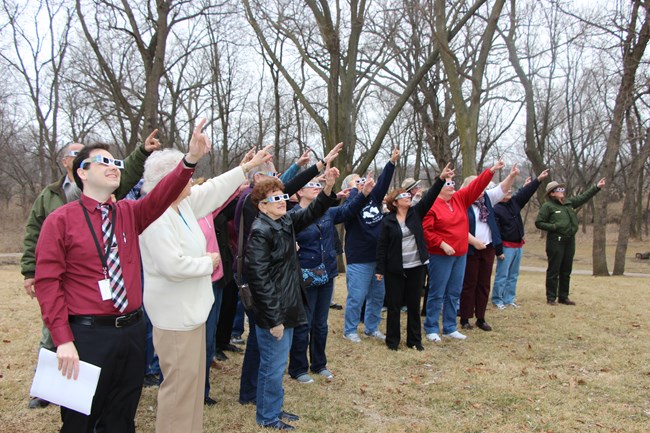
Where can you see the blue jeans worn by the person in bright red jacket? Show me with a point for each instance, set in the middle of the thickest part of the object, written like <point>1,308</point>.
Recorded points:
<point>446,275</point>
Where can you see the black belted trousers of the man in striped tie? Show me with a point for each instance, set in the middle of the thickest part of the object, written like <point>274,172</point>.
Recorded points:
<point>120,352</point>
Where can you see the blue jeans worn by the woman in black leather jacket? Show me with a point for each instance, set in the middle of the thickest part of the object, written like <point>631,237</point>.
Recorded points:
<point>273,360</point>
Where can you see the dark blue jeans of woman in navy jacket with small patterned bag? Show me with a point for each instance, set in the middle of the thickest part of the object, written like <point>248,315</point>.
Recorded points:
<point>313,335</point>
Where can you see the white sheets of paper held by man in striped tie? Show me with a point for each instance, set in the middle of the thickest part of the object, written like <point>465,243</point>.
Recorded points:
<point>50,385</point>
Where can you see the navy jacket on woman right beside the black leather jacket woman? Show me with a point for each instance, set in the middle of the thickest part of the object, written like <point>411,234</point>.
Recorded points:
<point>317,241</point>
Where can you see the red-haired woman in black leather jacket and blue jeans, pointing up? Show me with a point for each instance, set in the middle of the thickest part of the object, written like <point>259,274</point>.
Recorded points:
<point>275,281</point>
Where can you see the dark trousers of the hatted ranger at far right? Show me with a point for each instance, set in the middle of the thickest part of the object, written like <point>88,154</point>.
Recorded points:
<point>559,251</point>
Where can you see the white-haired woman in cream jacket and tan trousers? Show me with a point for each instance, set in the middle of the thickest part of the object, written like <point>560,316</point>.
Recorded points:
<point>178,287</point>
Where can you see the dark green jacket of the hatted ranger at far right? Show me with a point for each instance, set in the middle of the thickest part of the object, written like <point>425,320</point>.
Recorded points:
<point>561,219</point>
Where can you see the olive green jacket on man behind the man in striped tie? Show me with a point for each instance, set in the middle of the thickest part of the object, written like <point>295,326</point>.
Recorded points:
<point>53,197</point>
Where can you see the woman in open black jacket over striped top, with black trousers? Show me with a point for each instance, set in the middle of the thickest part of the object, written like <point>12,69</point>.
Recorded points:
<point>401,258</point>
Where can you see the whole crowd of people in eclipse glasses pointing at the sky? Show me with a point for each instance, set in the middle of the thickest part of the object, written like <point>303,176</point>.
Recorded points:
<point>112,274</point>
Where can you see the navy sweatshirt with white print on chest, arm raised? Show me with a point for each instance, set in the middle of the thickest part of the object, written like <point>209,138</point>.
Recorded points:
<point>362,231</point>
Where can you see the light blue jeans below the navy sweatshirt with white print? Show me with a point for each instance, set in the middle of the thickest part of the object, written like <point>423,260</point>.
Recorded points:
<point>362,285</point>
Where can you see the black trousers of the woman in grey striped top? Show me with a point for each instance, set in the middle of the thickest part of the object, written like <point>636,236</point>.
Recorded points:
<point>404,289</point>
